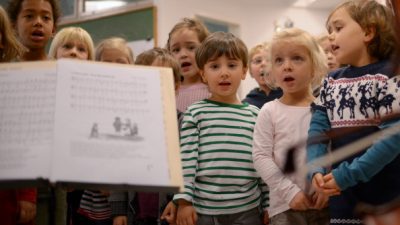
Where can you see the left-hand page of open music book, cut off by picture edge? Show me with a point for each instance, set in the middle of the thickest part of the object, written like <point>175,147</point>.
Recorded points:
<point>27,103</point>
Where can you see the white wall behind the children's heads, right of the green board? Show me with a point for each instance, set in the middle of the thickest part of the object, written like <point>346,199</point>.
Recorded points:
<point>254,18</point>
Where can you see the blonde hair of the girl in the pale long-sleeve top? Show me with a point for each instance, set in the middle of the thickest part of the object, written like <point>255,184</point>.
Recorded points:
<point>317,54</point>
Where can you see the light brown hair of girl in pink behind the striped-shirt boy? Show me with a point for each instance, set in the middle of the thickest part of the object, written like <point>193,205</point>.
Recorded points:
<point>191,24</point>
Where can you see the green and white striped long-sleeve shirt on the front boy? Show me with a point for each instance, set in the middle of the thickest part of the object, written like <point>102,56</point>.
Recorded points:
<point>216,151</point>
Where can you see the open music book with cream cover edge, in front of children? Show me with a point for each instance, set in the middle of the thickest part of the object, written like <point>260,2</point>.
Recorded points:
<point>87,124</point>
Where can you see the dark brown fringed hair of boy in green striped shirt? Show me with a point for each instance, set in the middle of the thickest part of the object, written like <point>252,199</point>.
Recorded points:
<point>219,44</point>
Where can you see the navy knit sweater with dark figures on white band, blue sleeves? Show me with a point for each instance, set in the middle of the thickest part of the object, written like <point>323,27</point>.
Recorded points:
<point>353,97</point>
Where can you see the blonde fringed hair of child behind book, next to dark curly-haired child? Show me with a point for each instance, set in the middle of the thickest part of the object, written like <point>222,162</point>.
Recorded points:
<point>68,34</point>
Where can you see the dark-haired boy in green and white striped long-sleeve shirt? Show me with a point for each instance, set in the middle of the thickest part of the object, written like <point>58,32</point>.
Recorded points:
<point>221,184</point>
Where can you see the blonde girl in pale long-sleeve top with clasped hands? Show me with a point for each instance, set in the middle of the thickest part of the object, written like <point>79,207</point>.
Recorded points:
<point>297,64</point>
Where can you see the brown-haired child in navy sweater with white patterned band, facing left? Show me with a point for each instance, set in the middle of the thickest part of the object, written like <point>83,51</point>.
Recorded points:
<point>361,36</point>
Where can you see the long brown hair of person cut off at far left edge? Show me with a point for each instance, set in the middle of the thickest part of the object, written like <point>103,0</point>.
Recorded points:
<point>11,47</point>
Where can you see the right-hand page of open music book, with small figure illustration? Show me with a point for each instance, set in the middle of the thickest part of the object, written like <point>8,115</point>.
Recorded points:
<point>109,125</point>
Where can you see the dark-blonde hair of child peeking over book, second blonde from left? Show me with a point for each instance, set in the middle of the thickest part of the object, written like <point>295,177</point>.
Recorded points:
<point>114,43</point>
